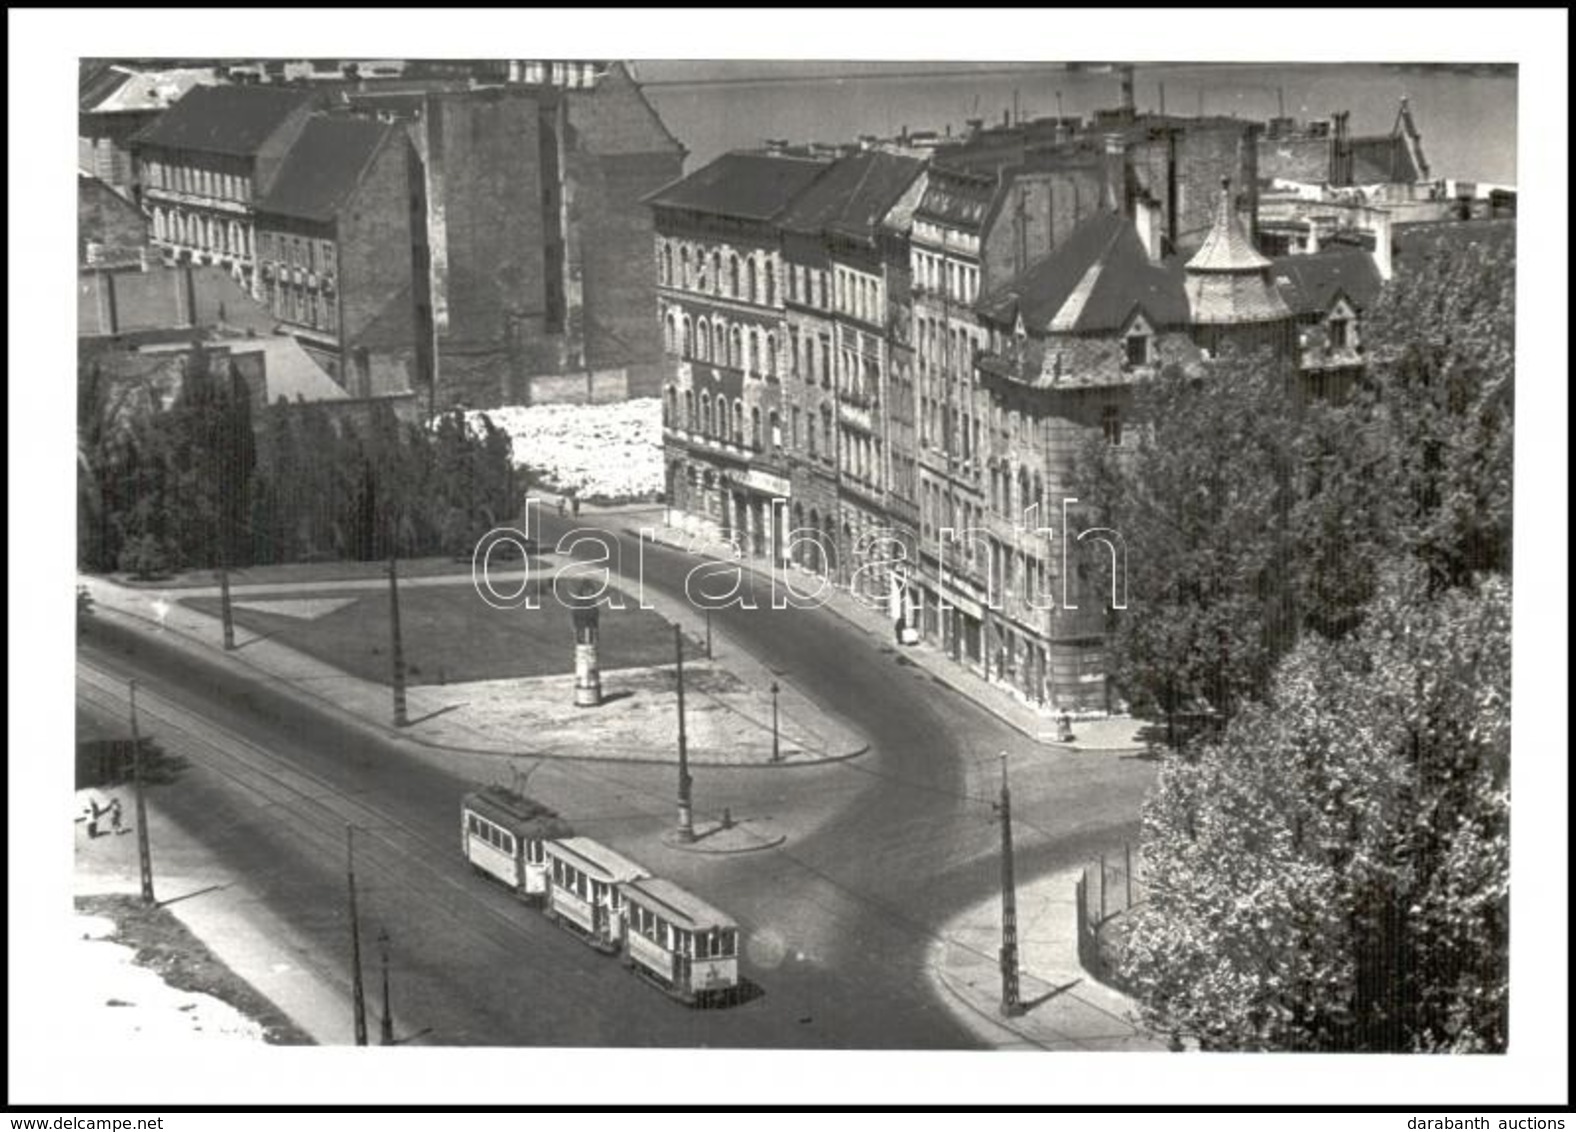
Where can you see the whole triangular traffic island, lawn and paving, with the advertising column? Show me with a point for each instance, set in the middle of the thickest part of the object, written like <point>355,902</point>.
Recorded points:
<point>491,682</point>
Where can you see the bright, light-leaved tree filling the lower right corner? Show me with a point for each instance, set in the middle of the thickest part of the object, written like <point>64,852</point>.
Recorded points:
<point>1334,873</point>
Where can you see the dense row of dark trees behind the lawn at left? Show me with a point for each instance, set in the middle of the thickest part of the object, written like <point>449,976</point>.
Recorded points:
<point>204,485</point>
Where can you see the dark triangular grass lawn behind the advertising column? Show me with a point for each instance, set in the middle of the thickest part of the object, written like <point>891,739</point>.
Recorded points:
<point>450,635</point>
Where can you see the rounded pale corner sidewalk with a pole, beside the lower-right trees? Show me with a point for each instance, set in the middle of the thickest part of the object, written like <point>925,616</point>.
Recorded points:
<point>1068,1010</point>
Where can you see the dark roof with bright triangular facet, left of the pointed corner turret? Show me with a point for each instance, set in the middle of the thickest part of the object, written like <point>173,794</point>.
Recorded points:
<point>1093,283</point>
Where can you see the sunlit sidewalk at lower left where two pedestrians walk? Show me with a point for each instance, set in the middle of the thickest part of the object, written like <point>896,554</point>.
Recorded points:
<point>221,912</point>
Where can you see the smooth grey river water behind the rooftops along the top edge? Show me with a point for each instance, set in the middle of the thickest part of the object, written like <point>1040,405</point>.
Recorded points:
<point>1468,121</point>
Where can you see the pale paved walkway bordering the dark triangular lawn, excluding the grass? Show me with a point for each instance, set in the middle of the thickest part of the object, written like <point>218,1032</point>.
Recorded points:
<point>729,709</point>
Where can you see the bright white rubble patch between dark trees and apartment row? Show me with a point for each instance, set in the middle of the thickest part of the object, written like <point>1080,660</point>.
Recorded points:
<point>612,452</point>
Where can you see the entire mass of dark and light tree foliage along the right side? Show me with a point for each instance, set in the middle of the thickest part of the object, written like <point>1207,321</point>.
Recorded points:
<point>1333,579</point>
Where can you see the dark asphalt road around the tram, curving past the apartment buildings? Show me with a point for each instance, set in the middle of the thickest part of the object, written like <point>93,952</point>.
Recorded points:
<point>885,847</point>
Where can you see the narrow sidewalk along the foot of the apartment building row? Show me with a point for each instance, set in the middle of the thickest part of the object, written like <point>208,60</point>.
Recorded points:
<point>1039,724</point>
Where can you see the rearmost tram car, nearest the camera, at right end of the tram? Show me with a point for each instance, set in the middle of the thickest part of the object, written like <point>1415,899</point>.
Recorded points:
<point>682,944</point>
